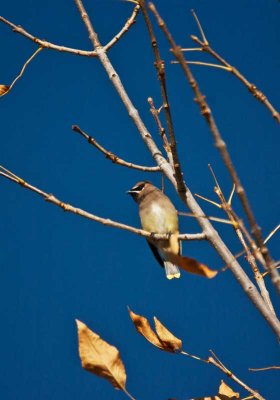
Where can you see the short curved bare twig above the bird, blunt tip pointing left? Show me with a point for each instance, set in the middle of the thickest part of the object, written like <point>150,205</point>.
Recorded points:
<point>108,154</point>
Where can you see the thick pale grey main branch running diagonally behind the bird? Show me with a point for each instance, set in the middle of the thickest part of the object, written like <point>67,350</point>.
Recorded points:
<point>186,197</point>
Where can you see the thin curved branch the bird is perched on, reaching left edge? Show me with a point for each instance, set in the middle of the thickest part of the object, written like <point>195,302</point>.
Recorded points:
<point>104,221</point>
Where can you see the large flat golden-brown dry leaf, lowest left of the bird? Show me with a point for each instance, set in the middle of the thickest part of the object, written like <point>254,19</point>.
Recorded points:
<point>99,357</point>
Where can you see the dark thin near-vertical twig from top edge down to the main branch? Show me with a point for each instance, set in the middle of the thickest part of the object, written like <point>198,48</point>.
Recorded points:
<point>159,64</point>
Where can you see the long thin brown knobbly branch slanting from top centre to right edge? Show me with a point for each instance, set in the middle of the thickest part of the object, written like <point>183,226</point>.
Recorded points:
<point>221,145</point>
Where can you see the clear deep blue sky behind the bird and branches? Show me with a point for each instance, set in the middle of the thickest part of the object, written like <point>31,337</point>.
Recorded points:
<point>56,266</point>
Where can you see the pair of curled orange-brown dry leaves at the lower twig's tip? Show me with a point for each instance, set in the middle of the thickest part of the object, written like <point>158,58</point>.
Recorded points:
<point>162,338</point>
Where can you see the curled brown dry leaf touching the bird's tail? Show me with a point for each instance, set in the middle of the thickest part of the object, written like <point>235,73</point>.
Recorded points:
<point>193,266</point>
